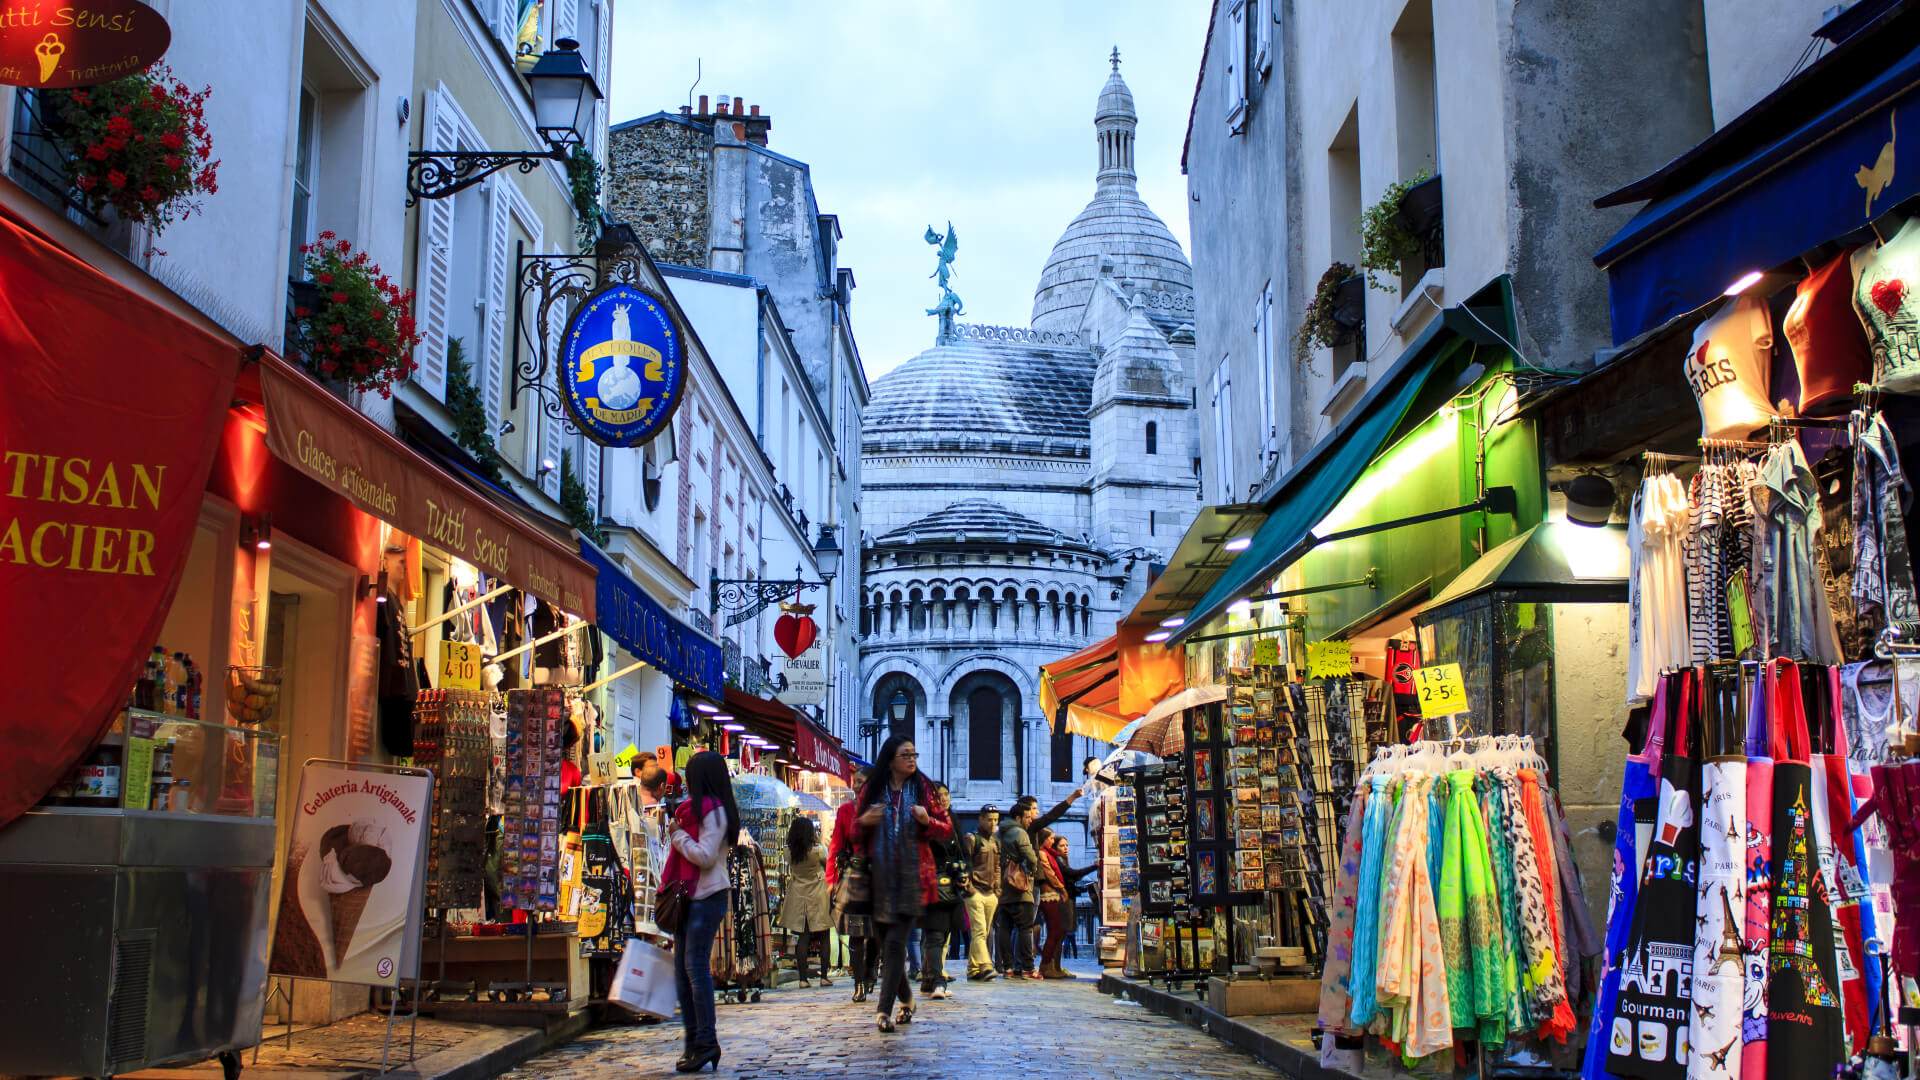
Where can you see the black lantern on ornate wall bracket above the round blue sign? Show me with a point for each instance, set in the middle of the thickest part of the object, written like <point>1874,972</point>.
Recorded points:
<point>564,114</point>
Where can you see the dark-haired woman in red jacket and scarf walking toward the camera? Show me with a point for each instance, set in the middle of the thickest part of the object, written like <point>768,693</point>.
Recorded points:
<point>900,820</point>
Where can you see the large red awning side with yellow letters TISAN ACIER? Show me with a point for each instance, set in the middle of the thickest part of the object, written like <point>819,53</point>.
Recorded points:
<point>108,428</point>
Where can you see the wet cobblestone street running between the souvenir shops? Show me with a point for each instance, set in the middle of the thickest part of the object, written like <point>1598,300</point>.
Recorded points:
<point>1030,1031</point>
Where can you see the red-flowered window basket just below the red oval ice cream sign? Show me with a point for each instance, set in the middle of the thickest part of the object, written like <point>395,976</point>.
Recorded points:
<point>137,147</point>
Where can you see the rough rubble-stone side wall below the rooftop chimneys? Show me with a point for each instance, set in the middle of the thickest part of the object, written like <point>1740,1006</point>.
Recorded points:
<point>660,178</point>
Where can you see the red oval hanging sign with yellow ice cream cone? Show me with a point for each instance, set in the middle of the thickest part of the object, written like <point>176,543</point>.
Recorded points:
<point>51,45</point>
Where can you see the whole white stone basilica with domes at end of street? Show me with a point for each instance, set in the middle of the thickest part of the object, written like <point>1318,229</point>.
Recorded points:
<point>1017,489</point>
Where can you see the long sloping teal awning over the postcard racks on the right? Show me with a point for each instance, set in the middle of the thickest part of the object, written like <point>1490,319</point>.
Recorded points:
<point>1322,479</point>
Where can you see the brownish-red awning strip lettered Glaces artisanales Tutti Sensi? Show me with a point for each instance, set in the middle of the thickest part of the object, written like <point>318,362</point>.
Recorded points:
<point>335,445</point>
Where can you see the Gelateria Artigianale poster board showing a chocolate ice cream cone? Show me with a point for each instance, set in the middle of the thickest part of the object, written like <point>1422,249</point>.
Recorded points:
<point>350,904</point>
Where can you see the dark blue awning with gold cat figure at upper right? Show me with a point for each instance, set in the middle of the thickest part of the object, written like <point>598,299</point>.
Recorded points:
<point>1813,162</point>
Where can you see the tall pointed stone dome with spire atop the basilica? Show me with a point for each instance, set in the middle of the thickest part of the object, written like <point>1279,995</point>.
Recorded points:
<point>1116,226</point>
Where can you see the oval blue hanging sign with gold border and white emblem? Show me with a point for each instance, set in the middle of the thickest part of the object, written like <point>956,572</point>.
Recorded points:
<point>623,366</point>
